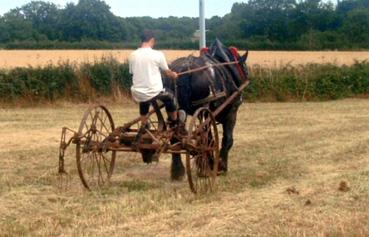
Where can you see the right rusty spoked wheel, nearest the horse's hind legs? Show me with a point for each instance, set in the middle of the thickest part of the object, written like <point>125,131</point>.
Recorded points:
<point>202,159</point>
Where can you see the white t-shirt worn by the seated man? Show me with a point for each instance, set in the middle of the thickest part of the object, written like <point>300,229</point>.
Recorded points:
<point>145,65</point>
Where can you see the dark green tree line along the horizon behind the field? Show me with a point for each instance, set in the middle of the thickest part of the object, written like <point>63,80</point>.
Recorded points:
<point>255,24</point>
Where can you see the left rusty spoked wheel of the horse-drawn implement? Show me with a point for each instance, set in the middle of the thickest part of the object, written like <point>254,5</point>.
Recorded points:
<point>95,164</point>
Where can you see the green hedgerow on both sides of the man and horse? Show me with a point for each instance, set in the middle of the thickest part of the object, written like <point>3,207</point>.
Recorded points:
<point>108,77</point>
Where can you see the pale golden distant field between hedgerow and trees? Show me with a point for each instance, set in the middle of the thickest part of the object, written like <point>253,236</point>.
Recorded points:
<point>22,58</point>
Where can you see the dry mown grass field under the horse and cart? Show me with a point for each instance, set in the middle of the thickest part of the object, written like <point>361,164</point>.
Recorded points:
<point>287,166</point>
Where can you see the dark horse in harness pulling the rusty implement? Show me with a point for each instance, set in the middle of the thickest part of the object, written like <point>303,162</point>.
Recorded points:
<point>209,87</point>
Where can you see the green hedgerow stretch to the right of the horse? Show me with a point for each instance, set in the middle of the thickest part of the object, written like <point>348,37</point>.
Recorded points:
<point>308,82</point>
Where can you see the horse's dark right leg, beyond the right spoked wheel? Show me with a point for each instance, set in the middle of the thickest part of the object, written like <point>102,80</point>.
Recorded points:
<point>227,140</point>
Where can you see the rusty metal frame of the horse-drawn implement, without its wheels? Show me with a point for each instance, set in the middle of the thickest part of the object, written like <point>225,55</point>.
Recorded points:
<point>160,138</point>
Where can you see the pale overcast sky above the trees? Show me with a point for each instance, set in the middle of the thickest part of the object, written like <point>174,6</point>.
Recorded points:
<point>153,8</point>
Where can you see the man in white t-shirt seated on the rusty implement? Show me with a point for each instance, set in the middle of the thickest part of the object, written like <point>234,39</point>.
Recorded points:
<point>145,64</point>
